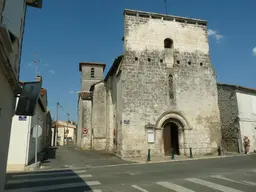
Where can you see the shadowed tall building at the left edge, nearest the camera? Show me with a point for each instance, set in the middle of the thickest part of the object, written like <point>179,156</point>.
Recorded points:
<point>12,17</point>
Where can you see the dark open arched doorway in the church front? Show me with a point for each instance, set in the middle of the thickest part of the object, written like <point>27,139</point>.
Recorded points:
<point>171,138</point>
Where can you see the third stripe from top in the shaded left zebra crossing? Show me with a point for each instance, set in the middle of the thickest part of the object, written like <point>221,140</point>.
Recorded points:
<point>55,187</point>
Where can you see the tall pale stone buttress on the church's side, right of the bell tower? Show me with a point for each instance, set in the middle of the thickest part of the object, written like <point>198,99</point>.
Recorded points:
<point>99,117</point>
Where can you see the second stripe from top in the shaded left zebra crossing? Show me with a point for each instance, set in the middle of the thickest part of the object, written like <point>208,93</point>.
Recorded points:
<point>47,179</point>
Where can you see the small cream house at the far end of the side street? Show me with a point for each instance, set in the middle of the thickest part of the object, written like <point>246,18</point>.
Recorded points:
<point>66,130</point>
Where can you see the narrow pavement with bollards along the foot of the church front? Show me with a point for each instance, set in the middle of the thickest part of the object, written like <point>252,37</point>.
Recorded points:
<point>178,158</point>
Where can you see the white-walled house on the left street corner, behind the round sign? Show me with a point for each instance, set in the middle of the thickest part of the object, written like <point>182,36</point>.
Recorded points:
<point>22,143</point>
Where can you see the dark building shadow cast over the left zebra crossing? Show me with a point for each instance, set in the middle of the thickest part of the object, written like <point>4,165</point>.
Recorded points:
<point>51,181</point>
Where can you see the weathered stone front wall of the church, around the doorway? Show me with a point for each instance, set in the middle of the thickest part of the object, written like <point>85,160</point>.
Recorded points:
<point>145,86</point>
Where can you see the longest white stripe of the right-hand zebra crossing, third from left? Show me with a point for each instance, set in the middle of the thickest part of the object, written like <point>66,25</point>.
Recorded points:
<point>212,185</point>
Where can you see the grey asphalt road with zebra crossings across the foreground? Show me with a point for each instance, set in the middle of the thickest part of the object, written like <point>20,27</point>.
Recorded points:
<point>232,174</point>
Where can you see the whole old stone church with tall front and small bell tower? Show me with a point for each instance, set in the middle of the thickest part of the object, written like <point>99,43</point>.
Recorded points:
<point>161,94</point>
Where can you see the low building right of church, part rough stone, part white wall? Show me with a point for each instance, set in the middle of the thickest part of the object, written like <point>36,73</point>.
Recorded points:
<point>238,116</point>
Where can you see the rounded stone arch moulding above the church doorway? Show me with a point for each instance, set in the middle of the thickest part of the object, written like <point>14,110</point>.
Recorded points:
<point>175,117</point>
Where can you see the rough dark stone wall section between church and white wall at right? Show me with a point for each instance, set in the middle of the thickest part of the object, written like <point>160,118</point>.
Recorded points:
<point>229,122</point>
